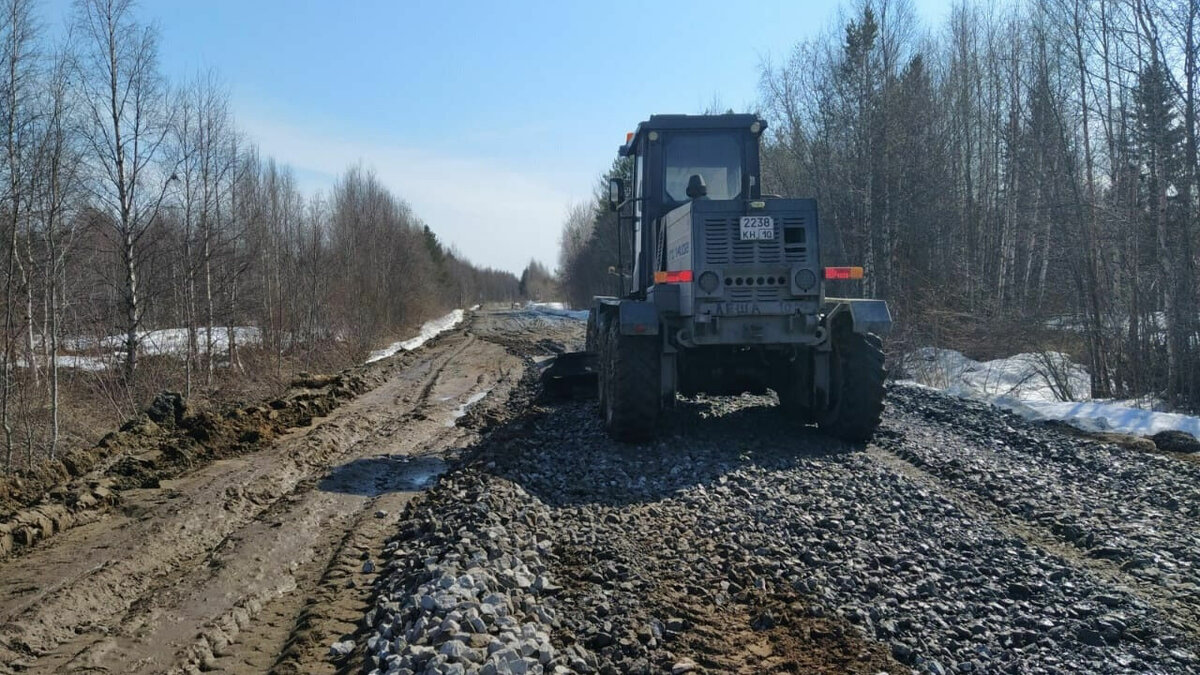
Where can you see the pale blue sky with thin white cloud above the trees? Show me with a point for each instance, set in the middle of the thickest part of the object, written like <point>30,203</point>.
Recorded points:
<point>489,118</point>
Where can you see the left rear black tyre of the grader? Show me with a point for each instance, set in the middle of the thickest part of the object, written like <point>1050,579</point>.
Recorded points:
<point>631,378</point>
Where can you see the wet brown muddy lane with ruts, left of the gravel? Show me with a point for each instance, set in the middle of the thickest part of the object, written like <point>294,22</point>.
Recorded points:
<point>255,563</point>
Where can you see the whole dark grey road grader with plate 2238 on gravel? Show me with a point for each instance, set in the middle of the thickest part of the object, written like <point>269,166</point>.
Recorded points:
<point>728,290</point>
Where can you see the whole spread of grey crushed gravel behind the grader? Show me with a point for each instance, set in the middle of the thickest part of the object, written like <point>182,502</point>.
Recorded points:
<point>737,541</point>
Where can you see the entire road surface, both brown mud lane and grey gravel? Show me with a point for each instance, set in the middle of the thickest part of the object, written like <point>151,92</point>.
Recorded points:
<point>962,541</point>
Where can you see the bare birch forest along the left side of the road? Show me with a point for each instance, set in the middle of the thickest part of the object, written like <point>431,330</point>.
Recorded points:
<point>131,205</point>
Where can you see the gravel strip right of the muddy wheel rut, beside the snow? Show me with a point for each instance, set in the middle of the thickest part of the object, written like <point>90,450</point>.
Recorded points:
<point>1136,510</point>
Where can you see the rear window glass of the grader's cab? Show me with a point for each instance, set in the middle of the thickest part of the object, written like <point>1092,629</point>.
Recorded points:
<point>716,158</point>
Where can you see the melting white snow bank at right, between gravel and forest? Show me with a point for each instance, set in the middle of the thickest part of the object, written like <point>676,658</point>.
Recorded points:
<point>1034,386</point>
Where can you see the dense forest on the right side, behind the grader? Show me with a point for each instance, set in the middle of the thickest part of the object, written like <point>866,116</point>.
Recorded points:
<point>1022,178</point>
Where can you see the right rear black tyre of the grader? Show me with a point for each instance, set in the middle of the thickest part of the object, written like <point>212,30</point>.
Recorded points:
<point>856,374</point>
